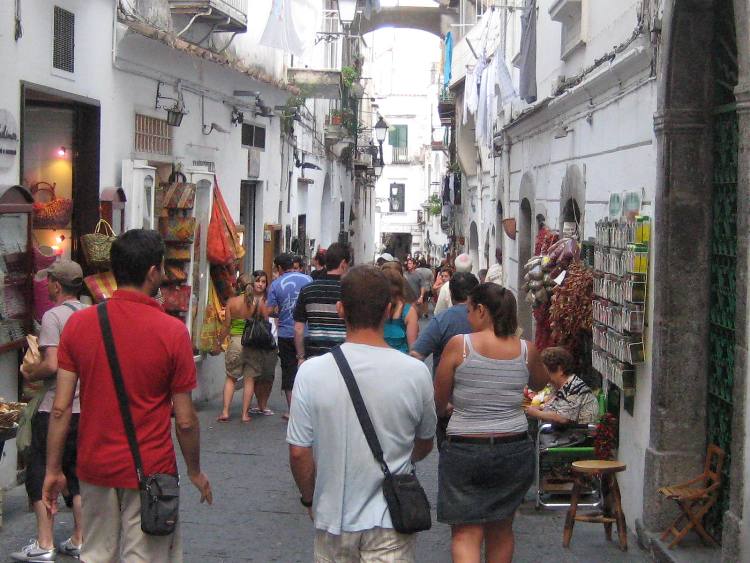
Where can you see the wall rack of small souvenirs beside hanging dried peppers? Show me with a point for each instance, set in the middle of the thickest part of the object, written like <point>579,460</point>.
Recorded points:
<point>621,262</point>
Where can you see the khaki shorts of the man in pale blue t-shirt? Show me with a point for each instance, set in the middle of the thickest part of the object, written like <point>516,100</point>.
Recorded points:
<point>378,545</point>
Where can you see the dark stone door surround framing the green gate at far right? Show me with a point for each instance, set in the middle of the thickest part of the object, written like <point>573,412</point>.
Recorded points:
<point>682,273</point>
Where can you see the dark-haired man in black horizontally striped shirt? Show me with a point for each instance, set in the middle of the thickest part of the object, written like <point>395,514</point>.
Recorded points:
<point>316,308</point>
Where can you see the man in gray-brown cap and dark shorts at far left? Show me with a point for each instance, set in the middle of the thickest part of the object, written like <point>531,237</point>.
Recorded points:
<point>65,280</point>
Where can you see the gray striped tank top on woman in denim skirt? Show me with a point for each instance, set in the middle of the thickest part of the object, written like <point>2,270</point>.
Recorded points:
<point>487,393</point>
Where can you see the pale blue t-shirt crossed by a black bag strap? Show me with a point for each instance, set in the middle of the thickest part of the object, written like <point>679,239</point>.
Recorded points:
<point>398,393</point>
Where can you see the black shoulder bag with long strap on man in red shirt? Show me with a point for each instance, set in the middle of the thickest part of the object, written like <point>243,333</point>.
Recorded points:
<point>160,493</point>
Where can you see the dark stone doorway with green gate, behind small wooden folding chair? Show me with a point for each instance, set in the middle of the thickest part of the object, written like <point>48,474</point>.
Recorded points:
<point>700,348</point>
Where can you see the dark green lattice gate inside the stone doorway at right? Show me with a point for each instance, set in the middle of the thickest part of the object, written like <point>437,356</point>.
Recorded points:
<point>723,248</point>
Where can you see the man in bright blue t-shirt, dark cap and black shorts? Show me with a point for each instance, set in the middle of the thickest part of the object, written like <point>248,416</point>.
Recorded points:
<point>282,299</point>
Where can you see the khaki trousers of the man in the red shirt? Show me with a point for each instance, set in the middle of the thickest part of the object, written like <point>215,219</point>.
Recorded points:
<point>112,529</point>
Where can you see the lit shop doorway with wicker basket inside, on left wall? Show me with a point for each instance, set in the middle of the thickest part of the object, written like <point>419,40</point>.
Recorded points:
<point>60,163</point>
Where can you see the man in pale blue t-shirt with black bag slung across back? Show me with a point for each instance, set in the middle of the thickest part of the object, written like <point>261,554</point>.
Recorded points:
<point>339,480</point>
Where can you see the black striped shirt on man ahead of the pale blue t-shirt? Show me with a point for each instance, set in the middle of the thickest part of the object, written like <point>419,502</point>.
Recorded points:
<point>316,306</point>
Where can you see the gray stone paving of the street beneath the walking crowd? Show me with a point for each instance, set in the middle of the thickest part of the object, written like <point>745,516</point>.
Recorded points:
<point>256,514</point>
